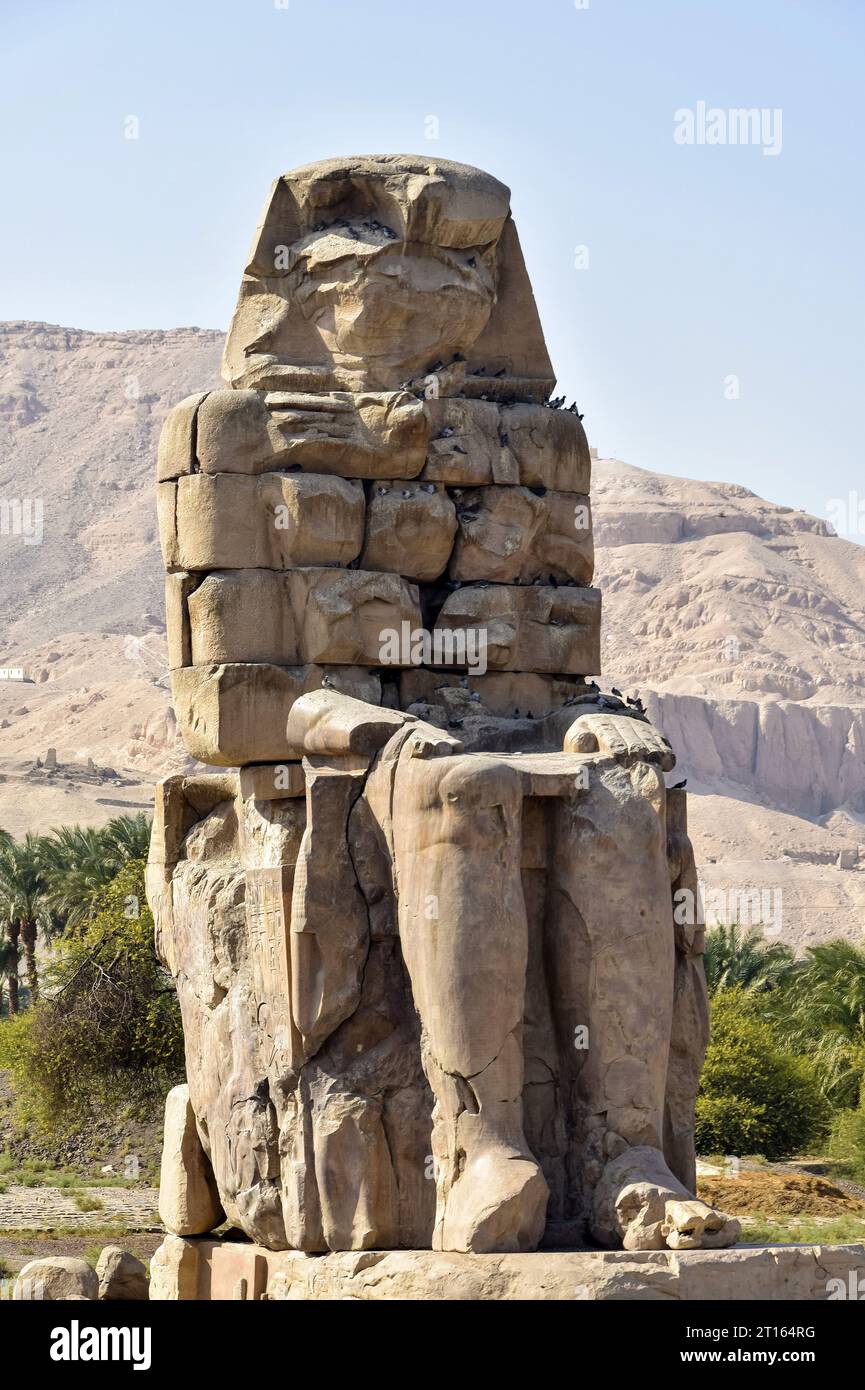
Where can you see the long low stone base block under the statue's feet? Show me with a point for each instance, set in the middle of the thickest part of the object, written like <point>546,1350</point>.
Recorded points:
<point>226,1270</point>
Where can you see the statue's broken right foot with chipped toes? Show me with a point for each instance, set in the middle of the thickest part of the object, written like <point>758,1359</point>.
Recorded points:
<point>640,1204</point>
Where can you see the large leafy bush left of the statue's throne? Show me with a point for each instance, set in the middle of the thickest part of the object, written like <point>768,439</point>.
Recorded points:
<point>108,1028</point>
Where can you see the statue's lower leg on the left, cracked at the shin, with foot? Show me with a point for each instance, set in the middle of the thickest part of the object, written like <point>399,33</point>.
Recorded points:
<point>462,922</point>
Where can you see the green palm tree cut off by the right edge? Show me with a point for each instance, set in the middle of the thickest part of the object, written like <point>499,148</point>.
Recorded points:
<point>824,1015</point>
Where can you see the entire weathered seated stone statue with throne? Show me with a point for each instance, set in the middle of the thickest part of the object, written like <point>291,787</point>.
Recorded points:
<point>426,922</point>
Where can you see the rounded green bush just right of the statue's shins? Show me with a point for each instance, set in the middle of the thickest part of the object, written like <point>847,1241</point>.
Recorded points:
<point>756,1096</point>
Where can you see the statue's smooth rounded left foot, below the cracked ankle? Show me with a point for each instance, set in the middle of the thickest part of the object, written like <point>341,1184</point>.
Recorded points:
<point>499,1204</point>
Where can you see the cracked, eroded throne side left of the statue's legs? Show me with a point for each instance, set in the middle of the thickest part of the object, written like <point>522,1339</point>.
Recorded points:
<point>298,1014</point>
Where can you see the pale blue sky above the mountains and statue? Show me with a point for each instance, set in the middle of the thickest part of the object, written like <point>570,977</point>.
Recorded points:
<point>704,262</point>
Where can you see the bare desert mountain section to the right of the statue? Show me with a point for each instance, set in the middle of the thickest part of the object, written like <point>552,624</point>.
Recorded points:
<point>742,625</point>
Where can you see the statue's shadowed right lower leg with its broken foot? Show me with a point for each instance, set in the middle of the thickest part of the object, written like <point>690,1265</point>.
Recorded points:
<point>610,874</point>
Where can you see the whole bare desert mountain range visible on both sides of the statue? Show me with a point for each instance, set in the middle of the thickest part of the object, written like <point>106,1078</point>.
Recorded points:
<point>742,623</point>
